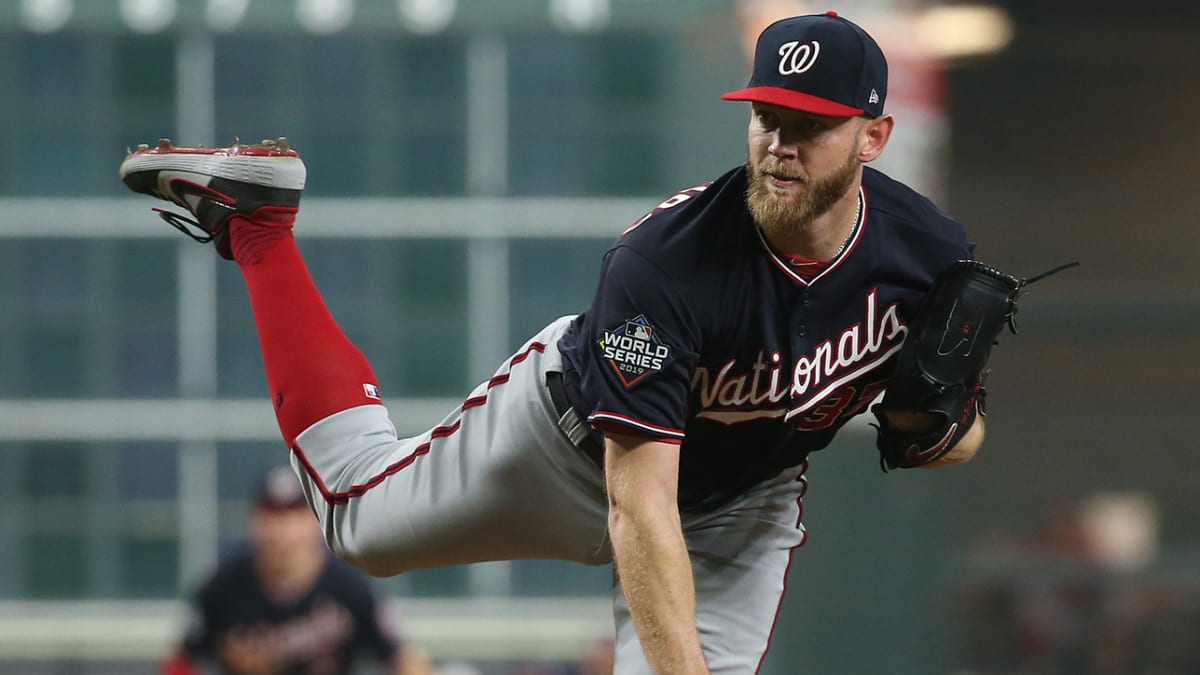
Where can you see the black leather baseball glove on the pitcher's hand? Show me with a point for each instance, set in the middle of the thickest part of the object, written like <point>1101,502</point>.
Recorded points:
<point>944,362</point>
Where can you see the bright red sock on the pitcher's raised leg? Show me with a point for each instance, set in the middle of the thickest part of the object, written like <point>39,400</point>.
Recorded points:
<point>313,368</point>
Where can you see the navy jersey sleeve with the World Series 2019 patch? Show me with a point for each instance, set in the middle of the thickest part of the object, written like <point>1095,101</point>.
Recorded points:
<point>639,345</point>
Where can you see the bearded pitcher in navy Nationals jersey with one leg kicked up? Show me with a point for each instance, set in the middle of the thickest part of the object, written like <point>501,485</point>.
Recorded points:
<point>735,330</point>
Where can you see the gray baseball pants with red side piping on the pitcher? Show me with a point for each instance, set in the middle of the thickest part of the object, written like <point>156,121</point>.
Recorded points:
<point>500,480</point>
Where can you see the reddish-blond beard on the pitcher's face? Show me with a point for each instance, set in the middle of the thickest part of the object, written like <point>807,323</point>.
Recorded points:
<point>788,216</point>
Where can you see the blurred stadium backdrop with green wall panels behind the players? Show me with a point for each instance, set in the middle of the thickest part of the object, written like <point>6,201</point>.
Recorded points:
<point>466,172</point>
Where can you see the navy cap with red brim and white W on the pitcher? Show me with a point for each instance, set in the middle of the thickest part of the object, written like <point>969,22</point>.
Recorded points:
<point>819,64</point>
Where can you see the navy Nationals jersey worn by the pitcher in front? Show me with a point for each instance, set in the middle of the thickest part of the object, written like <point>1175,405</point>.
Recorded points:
<point>700,334</point>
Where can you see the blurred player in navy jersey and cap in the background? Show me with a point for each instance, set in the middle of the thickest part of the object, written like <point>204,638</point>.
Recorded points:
<point>286,607</point>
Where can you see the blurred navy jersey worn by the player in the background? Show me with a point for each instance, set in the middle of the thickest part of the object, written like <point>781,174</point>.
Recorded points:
<point>321,632</point>
